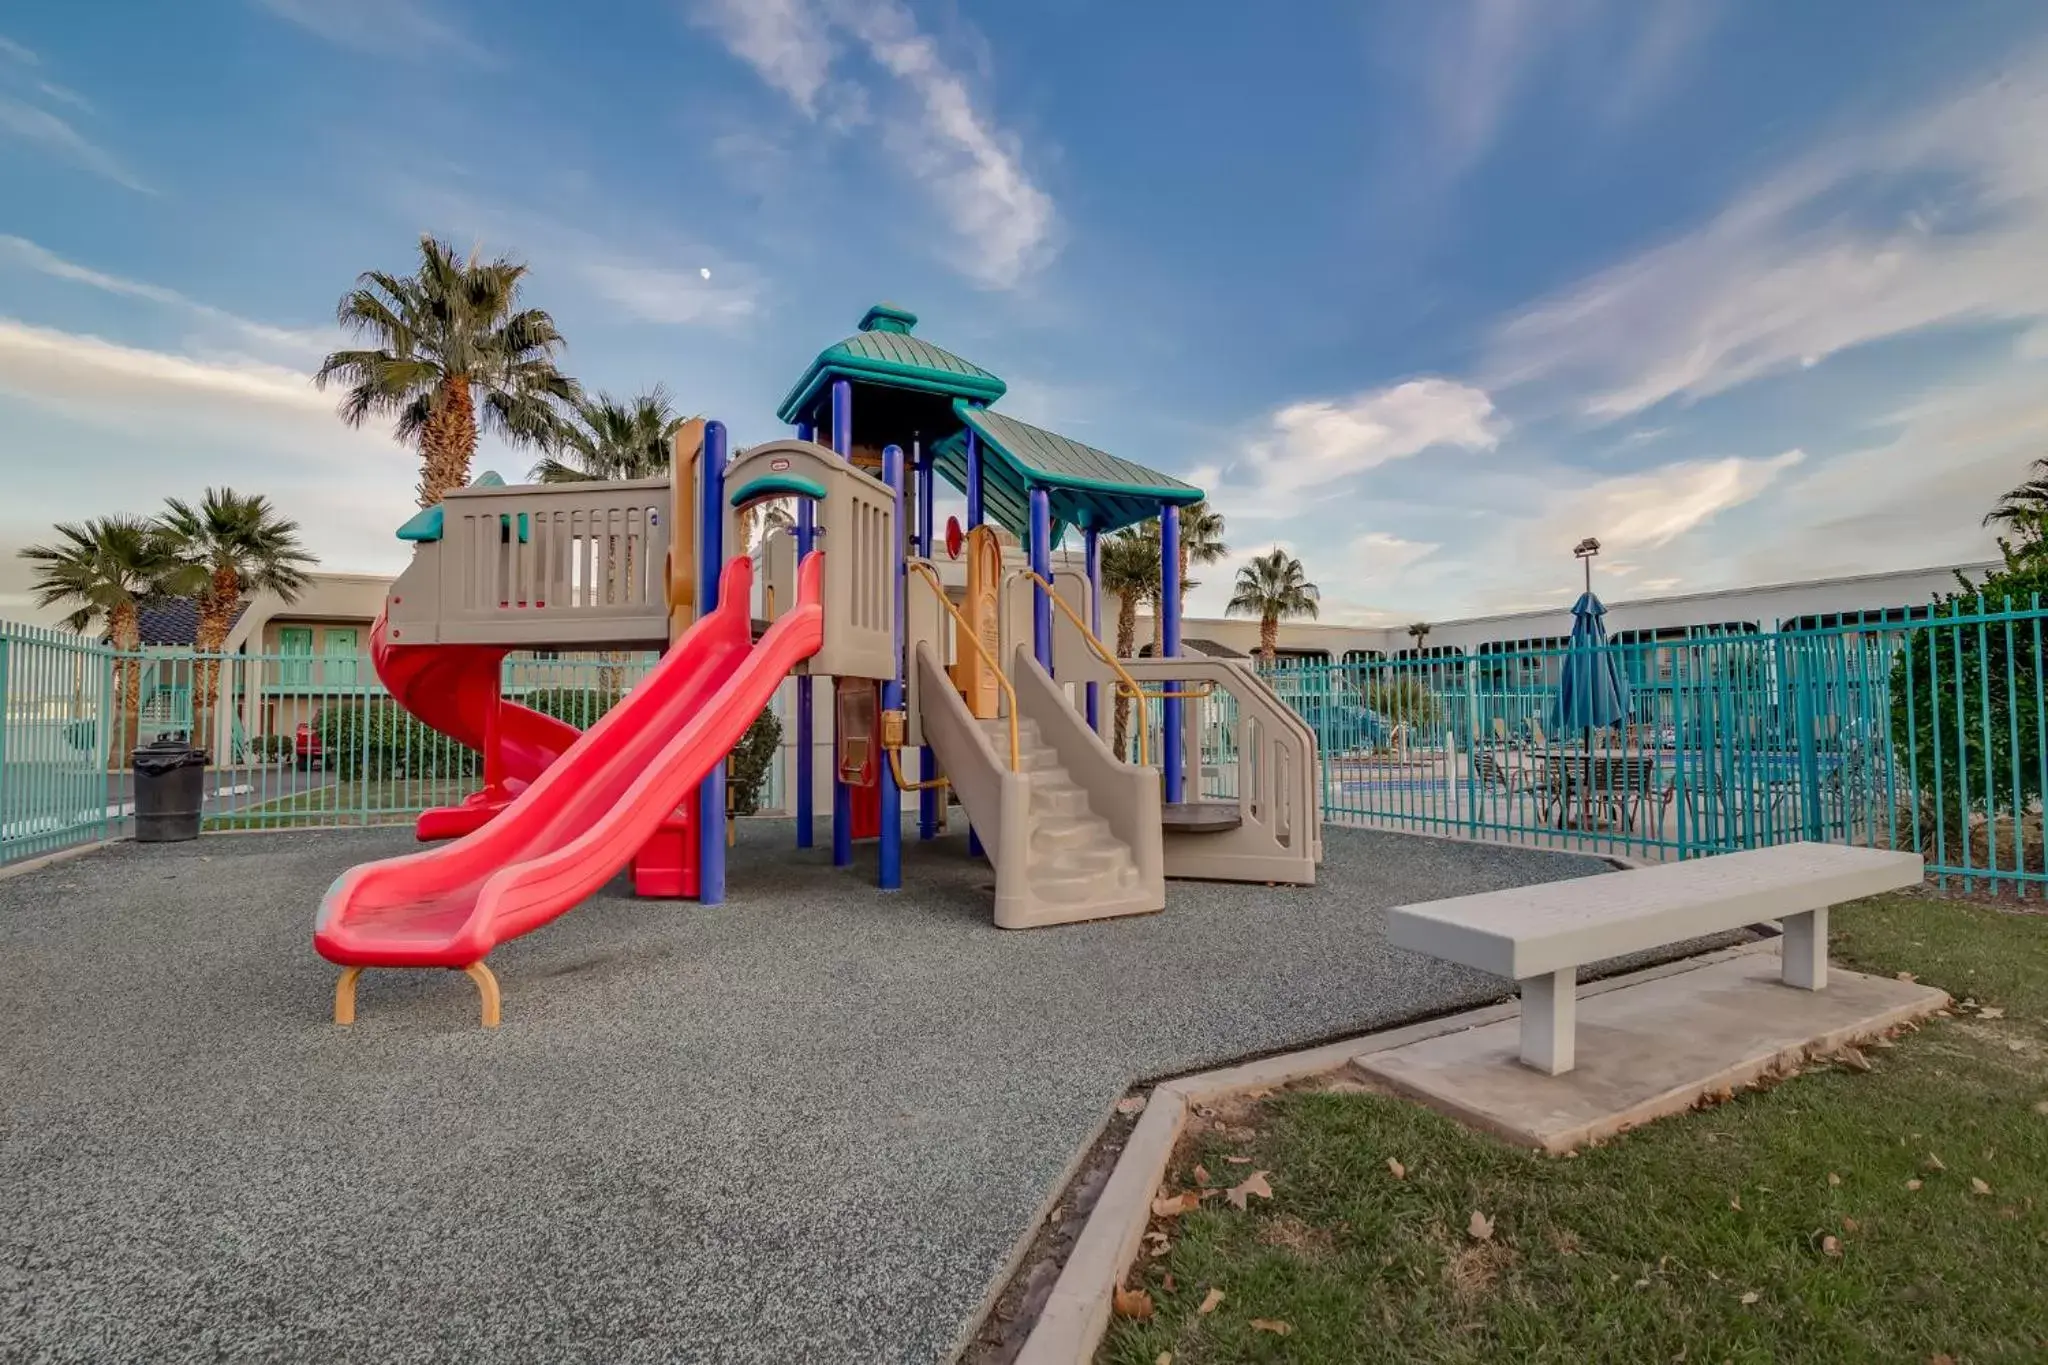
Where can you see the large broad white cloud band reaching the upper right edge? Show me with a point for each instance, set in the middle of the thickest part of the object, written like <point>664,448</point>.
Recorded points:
<point>1793,271</point>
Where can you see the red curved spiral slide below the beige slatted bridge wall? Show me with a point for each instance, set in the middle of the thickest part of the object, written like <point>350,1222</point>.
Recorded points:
<point>454,689</point>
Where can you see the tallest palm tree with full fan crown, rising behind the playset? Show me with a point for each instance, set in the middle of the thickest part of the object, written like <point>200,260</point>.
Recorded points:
<point>450,349</point>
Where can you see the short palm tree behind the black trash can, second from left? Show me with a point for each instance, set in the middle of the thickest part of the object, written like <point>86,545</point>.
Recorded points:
<point>230,545</point>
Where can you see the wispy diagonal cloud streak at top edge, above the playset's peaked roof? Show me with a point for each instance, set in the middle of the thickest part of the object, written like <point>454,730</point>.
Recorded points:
<point>1007,226</point>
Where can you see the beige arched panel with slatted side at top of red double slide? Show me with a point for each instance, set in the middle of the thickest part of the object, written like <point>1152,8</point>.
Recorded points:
<point>857,531</point>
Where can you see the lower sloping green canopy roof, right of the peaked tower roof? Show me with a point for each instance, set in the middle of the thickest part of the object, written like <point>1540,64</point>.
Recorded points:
<point>1086,488</point>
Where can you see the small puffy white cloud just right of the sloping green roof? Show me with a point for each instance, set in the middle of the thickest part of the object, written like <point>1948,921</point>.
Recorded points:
<point>1316,443</point>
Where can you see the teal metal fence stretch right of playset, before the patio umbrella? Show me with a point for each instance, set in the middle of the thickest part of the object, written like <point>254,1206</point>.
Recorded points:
<point>1918,736</point>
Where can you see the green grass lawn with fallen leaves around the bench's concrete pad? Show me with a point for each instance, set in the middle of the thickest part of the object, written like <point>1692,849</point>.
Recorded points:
<point>1885,1215</point>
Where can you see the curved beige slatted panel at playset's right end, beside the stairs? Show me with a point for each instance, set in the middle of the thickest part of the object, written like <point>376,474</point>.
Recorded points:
<point>1277,779</point>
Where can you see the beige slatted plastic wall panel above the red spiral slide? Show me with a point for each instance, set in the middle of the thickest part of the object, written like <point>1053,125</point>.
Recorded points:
<point>591,570</point>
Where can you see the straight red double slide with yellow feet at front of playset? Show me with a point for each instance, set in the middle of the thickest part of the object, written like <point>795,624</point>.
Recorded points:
<point>585,818</point>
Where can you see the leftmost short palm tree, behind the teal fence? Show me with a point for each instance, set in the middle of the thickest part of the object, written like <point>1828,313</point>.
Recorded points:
<point>108,570</point>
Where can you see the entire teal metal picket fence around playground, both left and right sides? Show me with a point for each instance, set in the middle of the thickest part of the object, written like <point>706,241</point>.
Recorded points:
<point>1924,736</point>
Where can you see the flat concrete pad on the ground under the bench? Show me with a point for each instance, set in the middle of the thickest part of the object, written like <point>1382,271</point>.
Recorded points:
<point>1652,1049</point>
